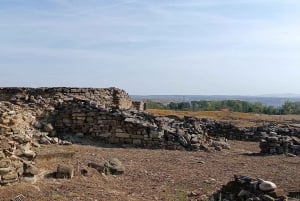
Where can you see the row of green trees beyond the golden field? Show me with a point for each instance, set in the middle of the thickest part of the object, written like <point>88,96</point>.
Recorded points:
<point>288,107</point>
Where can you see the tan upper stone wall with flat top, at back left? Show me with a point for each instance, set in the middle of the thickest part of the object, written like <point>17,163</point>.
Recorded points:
<point>107,97</point>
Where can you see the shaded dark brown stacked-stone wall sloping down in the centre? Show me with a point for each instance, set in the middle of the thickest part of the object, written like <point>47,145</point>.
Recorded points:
<point>140,129</point>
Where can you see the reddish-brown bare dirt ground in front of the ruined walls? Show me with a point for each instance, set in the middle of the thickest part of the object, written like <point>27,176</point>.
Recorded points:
<point>151,174</point>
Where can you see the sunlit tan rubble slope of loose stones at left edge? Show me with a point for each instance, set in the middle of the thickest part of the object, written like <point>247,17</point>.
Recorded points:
<point>18,143</point>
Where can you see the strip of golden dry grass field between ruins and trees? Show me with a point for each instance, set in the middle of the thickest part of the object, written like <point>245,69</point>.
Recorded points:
<point>237,118</point>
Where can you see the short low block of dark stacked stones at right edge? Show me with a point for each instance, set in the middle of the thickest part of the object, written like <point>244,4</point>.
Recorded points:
<point>277,144</point>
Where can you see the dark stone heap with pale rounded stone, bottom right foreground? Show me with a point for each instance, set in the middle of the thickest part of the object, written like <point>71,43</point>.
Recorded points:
<point>244,188</point>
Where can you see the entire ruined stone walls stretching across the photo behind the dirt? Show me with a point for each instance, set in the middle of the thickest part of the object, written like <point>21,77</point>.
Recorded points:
<point>33,116</point>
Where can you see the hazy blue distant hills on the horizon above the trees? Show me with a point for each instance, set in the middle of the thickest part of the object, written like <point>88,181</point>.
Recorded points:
<point>269,100</point>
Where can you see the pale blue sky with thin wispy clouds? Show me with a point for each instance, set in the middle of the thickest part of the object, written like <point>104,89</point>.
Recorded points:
<point>225,47</point>
